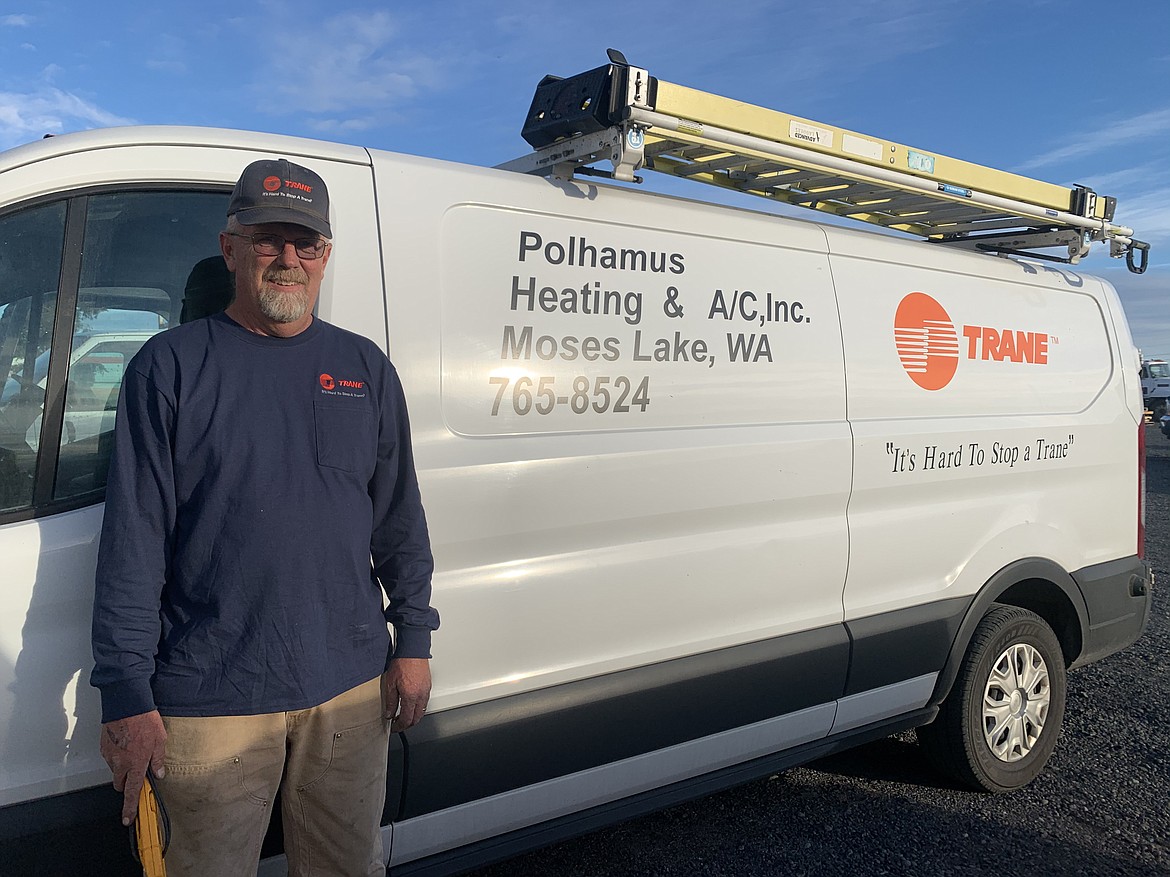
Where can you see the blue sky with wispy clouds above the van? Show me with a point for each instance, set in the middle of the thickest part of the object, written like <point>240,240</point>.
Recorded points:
<point>1064,91</point>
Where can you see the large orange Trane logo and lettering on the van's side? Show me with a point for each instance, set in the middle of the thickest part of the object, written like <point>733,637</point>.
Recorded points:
<point>930,348</point>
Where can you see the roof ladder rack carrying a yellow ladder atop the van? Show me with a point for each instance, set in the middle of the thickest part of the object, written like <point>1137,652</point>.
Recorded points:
<point>623,115</point>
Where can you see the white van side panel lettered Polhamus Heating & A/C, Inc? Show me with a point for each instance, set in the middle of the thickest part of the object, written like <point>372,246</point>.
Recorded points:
<point>587,540</point>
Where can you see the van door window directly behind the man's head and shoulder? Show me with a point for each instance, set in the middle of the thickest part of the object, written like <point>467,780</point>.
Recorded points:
<point>141,251</point>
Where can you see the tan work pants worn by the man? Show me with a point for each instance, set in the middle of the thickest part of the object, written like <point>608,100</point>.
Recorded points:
<point>328,762</point>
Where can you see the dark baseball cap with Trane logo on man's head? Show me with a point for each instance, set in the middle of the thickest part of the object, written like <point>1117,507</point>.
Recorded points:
<point>279,191</point>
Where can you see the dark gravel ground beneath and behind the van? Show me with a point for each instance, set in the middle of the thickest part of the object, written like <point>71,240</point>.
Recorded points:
<point>1103,806</point>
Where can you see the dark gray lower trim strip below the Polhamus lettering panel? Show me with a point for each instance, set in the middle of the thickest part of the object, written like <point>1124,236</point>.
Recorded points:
<point>522,741</point>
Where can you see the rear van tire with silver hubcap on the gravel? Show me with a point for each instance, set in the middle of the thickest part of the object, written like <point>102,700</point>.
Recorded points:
<point>1001,722</point>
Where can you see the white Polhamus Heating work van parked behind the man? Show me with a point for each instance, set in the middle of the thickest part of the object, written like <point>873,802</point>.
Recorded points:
<point>713,493</point>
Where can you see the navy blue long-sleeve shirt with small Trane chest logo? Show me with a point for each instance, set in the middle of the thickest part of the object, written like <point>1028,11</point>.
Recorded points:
<point>261,496</point>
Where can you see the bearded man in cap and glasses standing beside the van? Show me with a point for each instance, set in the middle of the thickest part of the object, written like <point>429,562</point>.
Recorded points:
<point>263,486</point>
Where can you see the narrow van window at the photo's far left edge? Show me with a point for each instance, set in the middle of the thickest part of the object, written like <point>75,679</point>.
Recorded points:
<point>31,244</point>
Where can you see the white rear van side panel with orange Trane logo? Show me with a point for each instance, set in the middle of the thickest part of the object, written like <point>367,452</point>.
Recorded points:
<point>990,419</point>
